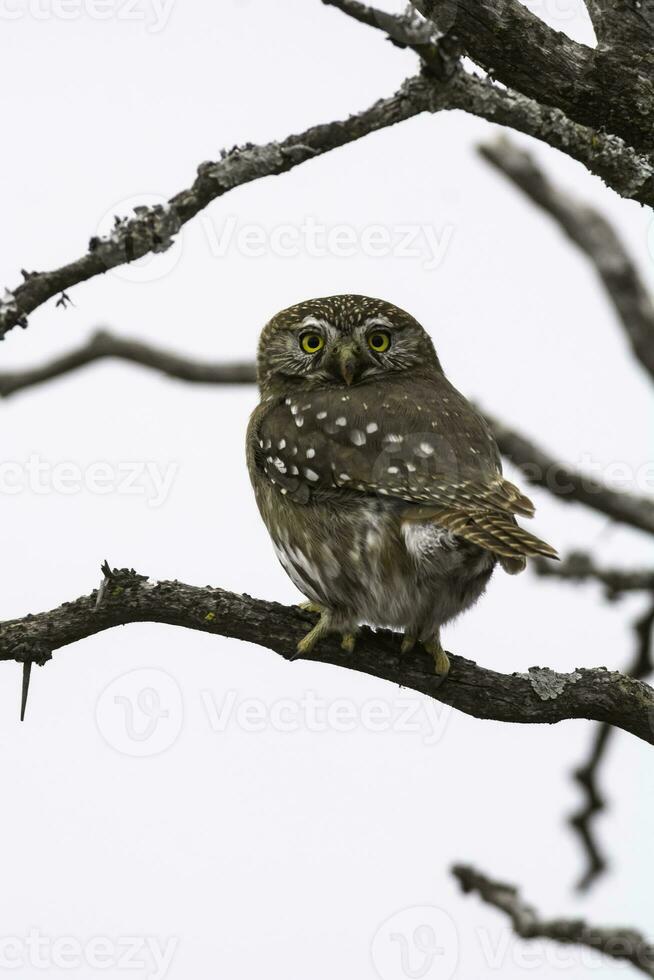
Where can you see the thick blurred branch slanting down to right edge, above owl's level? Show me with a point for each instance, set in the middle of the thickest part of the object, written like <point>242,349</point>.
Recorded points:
<point>593,234</point>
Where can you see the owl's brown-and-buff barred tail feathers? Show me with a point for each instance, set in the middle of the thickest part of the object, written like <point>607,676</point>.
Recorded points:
<point>498,533</point>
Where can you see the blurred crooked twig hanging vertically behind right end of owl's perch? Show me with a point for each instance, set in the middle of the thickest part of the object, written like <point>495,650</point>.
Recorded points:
<point>587,776</point>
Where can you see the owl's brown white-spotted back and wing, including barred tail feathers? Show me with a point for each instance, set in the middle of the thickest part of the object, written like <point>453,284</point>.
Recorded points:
<point>431,453</point>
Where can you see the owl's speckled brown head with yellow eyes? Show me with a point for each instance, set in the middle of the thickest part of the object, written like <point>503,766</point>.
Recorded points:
<point>341,340</point>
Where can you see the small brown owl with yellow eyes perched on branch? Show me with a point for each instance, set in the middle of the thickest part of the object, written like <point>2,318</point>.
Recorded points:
<point>380,485</point>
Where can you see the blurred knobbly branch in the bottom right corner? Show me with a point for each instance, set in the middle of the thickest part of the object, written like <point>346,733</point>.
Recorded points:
<point>616,943</point>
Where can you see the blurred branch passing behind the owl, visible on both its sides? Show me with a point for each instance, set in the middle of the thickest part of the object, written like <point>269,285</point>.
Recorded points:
<point>538,467</point>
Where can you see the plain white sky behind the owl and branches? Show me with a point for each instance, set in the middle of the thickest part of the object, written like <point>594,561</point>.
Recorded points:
<point>274,853</point>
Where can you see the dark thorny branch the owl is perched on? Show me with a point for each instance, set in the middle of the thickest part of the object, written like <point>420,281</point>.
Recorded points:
<point>540,696</point>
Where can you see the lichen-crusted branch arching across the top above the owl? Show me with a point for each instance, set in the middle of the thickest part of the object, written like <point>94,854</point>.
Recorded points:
<point>152,229</point>
